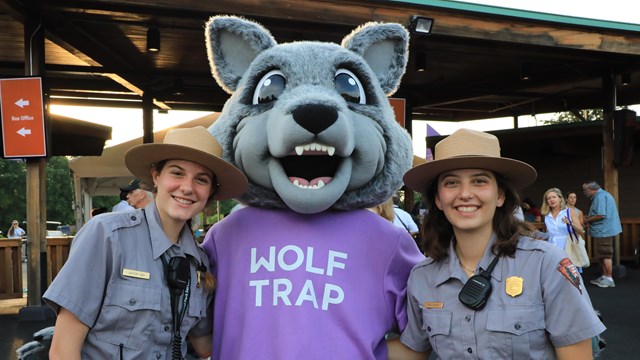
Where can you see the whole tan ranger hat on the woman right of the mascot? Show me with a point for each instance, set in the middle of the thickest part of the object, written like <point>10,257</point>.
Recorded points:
<point>470,149</point>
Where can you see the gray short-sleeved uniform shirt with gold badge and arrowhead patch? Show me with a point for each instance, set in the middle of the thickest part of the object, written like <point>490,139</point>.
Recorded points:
<point>548,307</point>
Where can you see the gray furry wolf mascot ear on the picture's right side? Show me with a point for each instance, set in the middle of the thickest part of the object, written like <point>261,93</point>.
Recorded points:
<point>385,48</point>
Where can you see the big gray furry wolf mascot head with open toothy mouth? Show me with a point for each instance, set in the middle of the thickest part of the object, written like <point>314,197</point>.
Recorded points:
<point>309,123</point>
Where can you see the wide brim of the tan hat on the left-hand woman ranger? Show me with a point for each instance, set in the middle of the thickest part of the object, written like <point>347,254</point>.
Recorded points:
<point>140,160</point>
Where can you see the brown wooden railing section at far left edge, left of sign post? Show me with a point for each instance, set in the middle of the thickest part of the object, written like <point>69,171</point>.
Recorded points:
<point>10,268</point>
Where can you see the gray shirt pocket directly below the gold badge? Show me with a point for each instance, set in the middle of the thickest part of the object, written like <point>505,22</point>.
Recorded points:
<point>518,333</point>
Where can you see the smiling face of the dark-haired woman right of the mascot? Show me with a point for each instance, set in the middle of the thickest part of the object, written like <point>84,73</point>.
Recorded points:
<point>469,198</point>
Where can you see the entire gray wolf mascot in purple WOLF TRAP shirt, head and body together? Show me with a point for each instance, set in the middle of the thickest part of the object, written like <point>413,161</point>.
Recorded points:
<point>304,271</point>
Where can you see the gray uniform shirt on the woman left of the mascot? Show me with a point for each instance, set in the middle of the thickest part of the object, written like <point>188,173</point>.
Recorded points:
<point>114,283</point>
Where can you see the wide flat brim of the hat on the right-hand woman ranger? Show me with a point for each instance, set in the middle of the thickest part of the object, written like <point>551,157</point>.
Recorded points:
<point>517,173</point>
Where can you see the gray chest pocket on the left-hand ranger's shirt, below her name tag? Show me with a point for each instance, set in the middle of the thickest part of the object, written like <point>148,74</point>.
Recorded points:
<point>128,314</point>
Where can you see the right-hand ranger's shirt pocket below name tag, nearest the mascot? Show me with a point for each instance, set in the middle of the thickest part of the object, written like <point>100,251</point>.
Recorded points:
<point>437,326</point>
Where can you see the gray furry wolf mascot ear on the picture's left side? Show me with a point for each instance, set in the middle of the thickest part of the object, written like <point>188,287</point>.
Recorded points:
<point>232,44</point>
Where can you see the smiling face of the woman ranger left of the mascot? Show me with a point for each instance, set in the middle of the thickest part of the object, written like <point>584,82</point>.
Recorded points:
<point>183,190</point>
